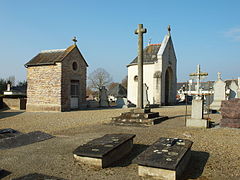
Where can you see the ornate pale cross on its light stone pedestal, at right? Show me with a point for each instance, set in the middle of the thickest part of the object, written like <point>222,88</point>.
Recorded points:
<point>197,104</point>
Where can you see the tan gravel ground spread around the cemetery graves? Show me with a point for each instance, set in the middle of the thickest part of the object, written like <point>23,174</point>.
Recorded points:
<point>215,151</point>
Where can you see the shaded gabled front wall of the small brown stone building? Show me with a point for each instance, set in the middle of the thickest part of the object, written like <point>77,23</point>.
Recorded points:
<point>69,74</point>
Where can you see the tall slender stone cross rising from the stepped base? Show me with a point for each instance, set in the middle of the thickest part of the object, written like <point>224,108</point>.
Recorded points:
<point>140,32</point>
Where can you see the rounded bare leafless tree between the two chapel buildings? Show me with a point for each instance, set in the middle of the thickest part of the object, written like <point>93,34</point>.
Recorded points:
<point>98,78</point>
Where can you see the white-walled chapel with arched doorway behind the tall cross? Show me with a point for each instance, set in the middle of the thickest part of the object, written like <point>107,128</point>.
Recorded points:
<point>159,73</point>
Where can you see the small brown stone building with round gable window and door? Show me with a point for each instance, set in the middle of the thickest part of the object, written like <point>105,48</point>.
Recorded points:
<point>56,80</point>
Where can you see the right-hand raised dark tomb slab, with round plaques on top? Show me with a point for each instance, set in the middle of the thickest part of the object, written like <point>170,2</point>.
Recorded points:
<point>165,159</point>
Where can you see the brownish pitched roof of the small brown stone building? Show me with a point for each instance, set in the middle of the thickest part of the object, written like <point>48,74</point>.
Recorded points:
<point>50,57</point>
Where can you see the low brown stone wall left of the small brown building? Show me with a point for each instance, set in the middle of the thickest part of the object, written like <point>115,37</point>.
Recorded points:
<point>15,103</point>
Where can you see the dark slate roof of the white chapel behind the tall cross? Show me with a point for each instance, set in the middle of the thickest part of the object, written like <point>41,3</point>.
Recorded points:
<point>149,54</point>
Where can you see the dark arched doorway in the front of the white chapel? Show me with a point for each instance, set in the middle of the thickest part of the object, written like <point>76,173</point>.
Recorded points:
<point>168,86</point>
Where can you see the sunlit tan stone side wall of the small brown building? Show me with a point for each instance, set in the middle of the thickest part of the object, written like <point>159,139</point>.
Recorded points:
<point>44,88</point>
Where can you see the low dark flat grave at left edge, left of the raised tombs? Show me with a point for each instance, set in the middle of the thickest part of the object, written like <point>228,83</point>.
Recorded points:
<point>9,138</point>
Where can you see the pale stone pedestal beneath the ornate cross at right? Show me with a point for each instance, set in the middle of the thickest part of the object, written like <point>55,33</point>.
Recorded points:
<point>197,115</point>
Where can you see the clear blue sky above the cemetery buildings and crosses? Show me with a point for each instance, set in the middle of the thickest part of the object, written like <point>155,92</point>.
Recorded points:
<point>205,32</point>
